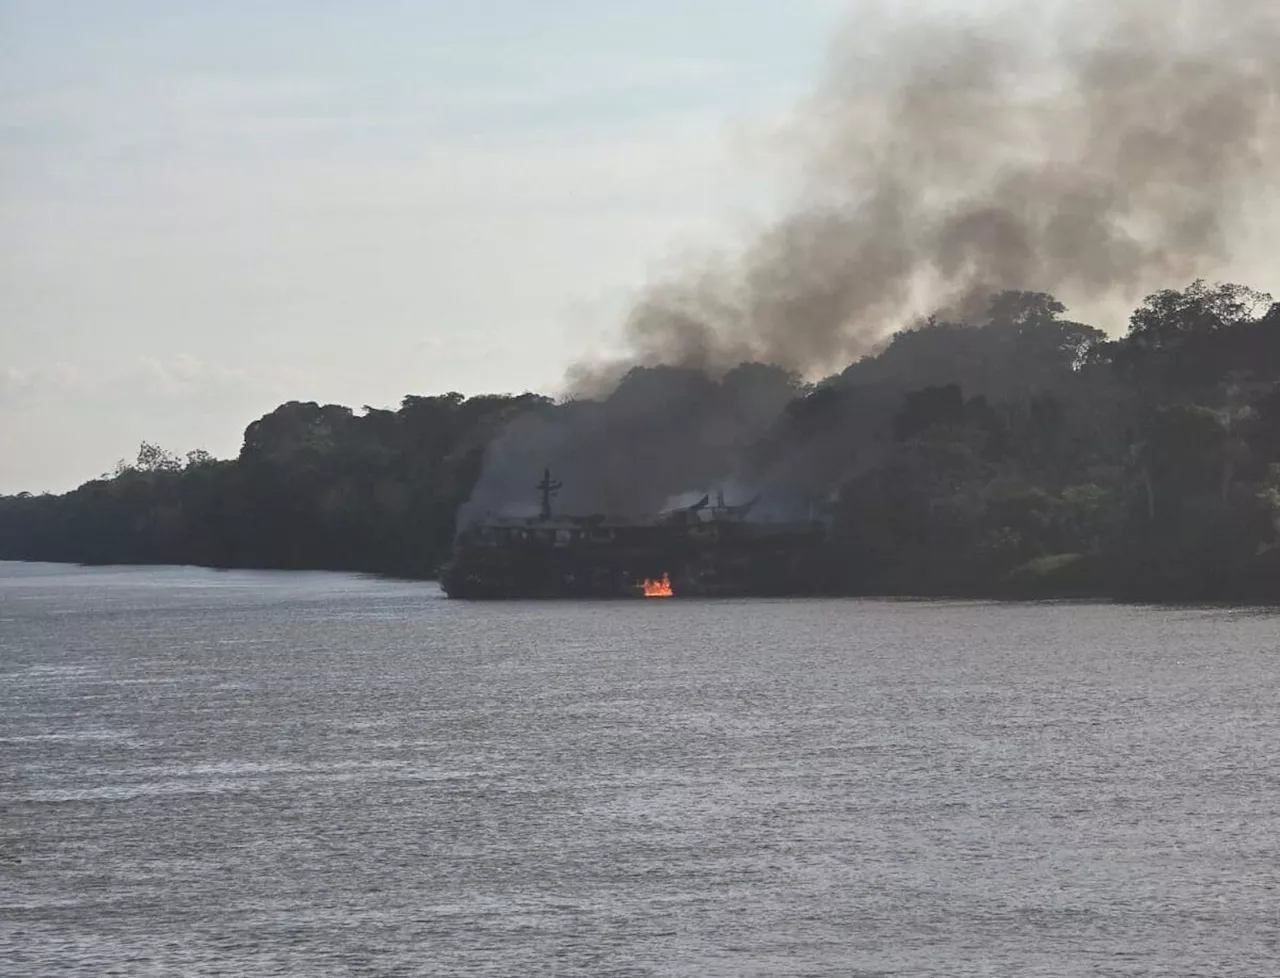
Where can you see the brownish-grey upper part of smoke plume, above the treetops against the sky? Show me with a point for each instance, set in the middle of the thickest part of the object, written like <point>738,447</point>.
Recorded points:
<point>1096,152</point>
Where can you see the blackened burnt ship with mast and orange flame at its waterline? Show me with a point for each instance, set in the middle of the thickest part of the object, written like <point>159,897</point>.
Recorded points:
<point>703,550</point>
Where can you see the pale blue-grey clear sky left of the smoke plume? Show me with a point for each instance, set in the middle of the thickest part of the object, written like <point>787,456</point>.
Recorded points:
<point>208,209</point>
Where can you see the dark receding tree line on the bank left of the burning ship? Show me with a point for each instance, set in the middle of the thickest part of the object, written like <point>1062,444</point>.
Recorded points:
<point>314,487</point>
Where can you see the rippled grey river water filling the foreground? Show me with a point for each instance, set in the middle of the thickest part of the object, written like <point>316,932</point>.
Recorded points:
<point>321,775</point>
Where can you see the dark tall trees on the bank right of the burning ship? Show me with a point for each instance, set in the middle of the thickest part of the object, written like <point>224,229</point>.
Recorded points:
<point>1144,468</point>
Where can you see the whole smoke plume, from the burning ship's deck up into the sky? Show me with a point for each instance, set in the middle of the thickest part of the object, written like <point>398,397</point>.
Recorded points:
<point>1095,150</point>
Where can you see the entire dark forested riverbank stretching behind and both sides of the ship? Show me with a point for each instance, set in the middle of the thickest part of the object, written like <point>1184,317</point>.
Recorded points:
<point>1017,455</point>
